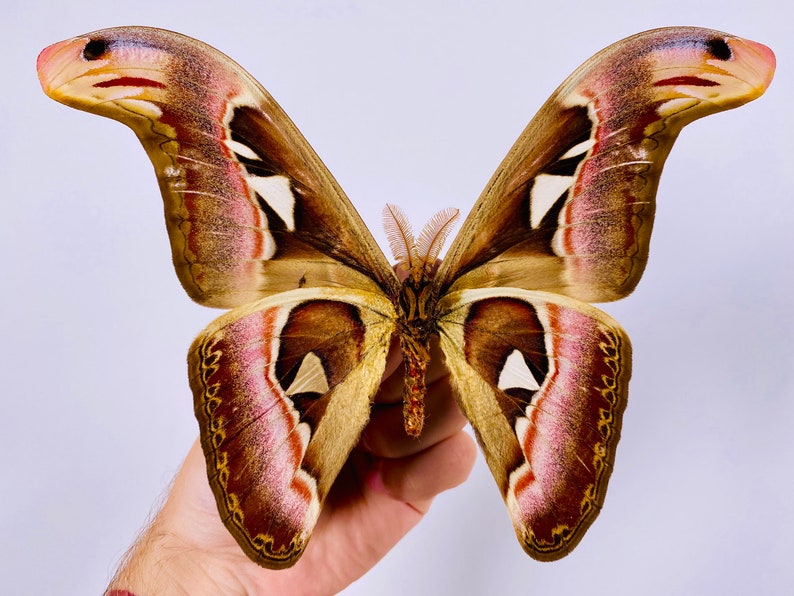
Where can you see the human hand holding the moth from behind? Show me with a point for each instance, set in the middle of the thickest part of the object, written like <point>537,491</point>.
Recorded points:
<point>383,491</point>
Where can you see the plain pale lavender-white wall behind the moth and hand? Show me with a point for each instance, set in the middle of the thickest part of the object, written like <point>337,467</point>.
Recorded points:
<point>414,103</point>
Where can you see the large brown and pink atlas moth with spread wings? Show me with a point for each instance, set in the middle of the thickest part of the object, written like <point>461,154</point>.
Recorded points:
<point>283,382</point>
